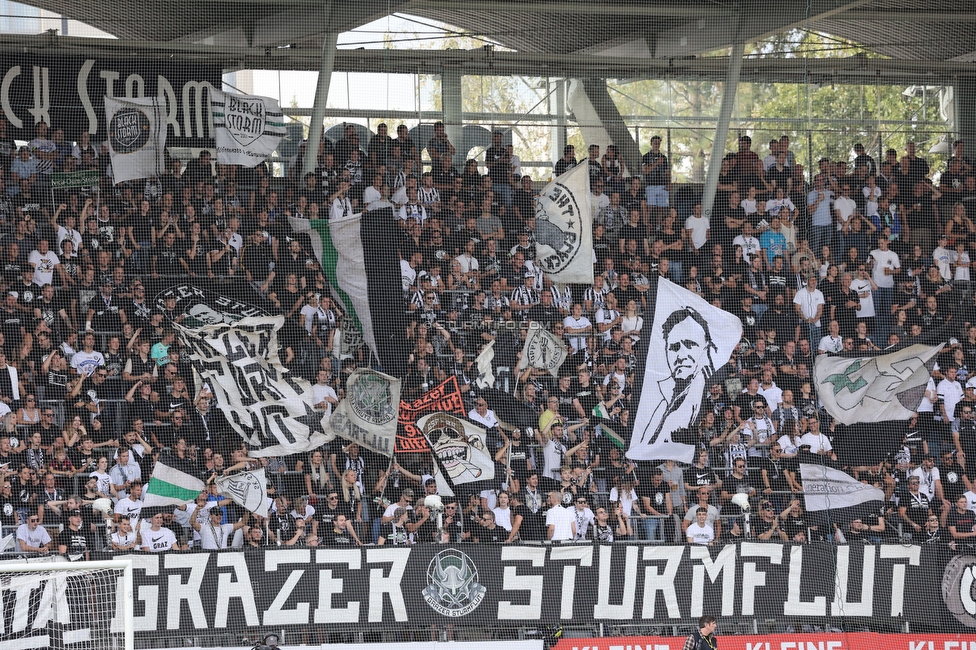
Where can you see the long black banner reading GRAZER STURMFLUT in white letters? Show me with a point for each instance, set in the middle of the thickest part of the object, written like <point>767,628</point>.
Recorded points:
<point>375,588</point>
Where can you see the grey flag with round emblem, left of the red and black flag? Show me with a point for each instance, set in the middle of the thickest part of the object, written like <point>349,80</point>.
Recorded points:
<point>368,414</point>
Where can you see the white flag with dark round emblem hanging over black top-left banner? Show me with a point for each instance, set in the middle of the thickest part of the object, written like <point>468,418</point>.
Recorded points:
<point>136,137</point>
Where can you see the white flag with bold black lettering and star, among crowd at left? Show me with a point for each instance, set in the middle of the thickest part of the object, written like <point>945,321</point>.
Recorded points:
<point>270,408</point>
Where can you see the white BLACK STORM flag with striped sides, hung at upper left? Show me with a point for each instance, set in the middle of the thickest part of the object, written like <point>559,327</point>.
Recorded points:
<point>247,128</point>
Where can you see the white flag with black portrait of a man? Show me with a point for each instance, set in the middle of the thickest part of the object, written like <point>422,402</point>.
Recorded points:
<point>688,341</point>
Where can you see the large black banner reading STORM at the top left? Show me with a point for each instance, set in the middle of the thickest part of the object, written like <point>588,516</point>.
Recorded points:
<point>68,92</point>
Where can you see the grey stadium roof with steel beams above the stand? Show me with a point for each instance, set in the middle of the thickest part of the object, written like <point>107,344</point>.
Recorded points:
<point>555,37</point>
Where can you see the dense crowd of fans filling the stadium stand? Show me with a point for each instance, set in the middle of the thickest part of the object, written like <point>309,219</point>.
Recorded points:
<point>857,255</point>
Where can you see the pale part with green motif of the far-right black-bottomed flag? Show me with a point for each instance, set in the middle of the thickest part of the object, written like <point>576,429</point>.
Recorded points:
<point>874,388</point>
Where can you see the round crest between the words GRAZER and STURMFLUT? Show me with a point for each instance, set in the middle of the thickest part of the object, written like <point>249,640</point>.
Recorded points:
<point>452,584</point>
